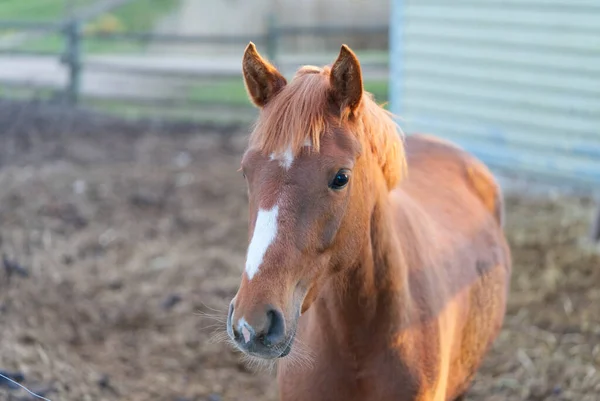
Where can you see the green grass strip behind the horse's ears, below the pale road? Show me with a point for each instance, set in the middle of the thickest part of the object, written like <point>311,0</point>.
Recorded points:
<point>232,92</point>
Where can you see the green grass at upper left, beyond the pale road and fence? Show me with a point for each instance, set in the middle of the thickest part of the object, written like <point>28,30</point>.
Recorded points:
<point>137,16</point>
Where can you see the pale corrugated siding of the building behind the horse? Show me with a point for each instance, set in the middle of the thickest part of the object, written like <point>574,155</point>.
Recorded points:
<point>516,82</point>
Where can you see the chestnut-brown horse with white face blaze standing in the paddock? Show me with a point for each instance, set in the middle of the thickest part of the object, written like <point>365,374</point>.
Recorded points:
<point>387,266</point>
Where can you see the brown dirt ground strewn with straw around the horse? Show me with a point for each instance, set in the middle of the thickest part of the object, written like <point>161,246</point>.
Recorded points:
<point>128,236</point>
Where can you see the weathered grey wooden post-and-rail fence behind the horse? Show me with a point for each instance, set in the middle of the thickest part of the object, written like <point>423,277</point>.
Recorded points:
<point>76,63</point>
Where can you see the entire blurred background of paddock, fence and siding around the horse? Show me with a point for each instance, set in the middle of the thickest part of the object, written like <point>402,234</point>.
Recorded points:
<point>123,223</point>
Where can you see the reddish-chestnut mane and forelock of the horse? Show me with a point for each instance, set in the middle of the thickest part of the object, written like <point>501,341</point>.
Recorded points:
<point>302,113</point>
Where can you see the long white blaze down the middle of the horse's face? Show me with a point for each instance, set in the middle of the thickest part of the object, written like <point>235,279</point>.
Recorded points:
<point>265,232</point>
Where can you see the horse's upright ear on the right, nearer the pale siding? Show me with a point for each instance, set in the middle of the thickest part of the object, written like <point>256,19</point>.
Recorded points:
<point>346,81</point>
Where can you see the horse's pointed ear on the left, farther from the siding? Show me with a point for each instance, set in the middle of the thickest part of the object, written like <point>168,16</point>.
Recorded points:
<point>261,78</point>
